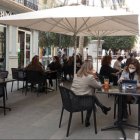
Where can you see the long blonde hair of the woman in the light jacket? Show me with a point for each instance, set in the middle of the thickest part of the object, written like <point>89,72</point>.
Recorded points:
<point>86,69</point>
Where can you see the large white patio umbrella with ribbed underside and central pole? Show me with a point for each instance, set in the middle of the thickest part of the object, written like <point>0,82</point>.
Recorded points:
<point>77,21</point>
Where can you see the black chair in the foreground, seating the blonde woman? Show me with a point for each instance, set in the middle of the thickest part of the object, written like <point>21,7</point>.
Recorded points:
<point>73,103</point>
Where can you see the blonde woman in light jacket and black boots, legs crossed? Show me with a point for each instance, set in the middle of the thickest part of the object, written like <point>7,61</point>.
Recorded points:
<point>85,83</point>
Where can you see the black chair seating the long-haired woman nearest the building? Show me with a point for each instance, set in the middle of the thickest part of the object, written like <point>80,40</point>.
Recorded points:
<point>35,78</point>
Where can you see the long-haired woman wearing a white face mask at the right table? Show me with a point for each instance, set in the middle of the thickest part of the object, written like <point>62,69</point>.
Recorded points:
<point>130,72</point>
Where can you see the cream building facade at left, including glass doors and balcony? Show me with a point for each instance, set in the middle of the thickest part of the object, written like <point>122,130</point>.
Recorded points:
<point>17,45</point>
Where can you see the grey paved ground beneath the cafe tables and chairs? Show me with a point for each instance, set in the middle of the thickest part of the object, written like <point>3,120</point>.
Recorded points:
<point>35,117</point>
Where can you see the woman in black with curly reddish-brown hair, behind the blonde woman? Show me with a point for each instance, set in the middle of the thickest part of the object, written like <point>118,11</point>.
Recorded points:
<point>107,71</point>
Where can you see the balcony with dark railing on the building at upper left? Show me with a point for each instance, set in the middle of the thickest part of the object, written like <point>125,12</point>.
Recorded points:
<point>28,4</point>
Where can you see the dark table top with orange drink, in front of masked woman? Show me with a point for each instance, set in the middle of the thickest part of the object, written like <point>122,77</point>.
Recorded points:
<point>117,91</point>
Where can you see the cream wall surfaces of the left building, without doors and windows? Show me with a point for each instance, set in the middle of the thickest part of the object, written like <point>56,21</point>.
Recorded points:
<point>12,35</point>
